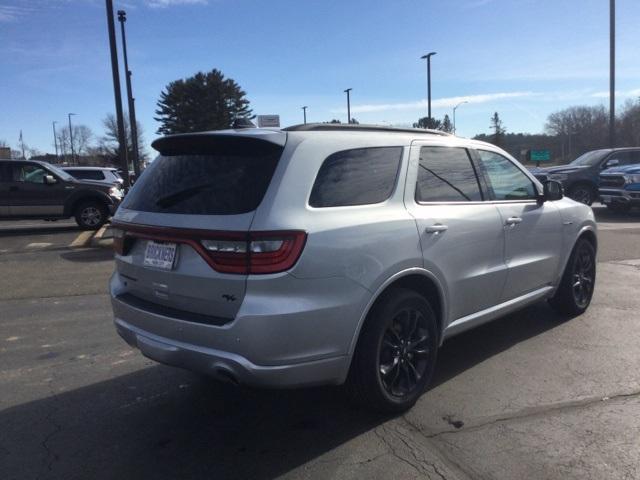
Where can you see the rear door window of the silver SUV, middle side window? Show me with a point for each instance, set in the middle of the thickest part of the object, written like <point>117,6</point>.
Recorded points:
<point>446,175</point>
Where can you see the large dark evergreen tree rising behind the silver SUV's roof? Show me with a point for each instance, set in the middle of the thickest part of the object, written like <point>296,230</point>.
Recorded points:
<point>206,101</point>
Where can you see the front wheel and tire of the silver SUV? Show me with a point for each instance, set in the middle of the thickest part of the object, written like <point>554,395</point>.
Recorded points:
<point>578,280</point>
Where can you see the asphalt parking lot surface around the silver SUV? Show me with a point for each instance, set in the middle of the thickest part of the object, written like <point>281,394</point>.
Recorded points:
<point>531,395</point>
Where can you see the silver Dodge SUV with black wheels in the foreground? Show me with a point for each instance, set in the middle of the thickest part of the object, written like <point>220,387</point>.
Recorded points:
<point>324,254</point>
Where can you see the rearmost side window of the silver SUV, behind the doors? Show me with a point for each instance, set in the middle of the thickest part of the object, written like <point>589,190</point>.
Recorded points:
<point>356,177</point>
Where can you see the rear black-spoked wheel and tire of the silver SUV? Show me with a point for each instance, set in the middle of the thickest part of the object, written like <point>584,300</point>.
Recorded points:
<point>400,336</point>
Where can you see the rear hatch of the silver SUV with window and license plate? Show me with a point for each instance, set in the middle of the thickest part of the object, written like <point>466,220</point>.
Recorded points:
<point>178,230</point>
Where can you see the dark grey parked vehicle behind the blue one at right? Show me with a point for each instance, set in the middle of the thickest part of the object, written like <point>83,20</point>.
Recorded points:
<point>580,177</point>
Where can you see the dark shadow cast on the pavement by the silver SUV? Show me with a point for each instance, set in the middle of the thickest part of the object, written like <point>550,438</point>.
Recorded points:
<point>162,423</point>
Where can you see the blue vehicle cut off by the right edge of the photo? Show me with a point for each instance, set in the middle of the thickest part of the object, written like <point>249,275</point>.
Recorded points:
<point>620,187</point>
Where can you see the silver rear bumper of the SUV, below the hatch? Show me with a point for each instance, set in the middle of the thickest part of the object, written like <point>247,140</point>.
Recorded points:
<point>298,338</point>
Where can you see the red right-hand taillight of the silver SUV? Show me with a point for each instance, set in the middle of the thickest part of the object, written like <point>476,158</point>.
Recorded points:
<point>256,253</point>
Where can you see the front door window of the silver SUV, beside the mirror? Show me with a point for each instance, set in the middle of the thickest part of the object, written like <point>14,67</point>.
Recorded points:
<point>506,181</point>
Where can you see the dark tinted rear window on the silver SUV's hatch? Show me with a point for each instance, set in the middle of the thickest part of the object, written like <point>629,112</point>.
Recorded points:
<point>205,177</point>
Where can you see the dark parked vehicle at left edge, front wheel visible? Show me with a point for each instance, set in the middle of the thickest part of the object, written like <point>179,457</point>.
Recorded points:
<point>33,189</point>
